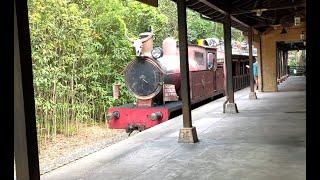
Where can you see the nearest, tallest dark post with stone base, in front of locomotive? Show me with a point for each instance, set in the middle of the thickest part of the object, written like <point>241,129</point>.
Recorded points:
<point>188,133</point>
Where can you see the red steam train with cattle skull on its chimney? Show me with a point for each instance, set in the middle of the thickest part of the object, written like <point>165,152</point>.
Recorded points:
<point>154,78</point>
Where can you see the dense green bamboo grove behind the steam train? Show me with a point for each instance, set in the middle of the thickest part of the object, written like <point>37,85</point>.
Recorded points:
<point>79,50</point>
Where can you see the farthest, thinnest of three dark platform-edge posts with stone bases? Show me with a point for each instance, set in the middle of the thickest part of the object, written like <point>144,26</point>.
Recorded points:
<point>252,94</point>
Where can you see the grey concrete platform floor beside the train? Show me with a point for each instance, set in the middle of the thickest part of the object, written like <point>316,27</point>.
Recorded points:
<point>265,140</point>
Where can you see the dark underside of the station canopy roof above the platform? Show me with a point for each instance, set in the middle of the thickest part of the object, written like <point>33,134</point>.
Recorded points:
<point>260,14</point>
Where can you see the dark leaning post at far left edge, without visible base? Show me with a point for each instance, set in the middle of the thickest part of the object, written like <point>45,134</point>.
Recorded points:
<point>25,132</point>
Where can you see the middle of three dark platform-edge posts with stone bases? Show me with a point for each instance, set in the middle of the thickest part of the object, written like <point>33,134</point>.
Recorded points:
<point>231,107</point>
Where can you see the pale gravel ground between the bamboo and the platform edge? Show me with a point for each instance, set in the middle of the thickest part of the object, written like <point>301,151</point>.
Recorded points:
<point>64,150</point>
